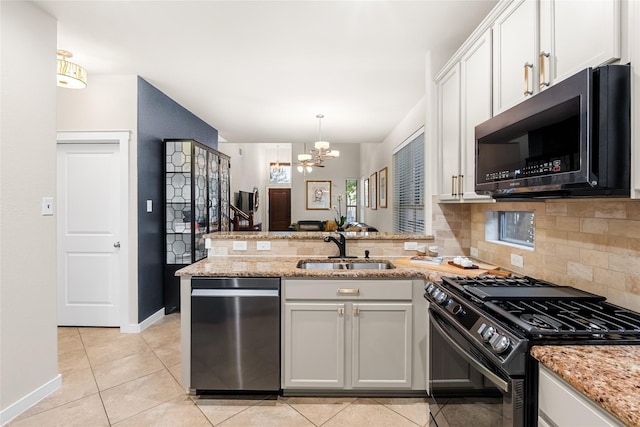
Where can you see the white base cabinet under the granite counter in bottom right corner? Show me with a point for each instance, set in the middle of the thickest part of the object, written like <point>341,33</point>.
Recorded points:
<point>561,405</point>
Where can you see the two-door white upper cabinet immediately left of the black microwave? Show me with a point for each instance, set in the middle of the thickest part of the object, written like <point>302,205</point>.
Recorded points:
<point>464,101</point>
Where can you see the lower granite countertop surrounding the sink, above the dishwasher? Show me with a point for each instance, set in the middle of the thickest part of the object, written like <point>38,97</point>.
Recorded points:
<point>236,266</point>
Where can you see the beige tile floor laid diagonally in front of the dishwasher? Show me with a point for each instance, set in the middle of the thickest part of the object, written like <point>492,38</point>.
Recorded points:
<point>114,379</point>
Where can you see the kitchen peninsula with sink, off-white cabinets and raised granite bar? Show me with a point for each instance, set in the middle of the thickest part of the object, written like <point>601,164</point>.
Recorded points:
<point>392,296</point>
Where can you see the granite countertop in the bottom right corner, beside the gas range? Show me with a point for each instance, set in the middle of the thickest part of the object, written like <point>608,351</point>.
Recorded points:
<point>608,374</point>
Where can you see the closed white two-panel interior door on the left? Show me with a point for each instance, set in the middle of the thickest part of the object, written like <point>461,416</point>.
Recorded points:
<point>89,230</point>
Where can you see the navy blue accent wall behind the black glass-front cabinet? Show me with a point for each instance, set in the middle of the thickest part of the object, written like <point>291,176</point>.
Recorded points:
<point>159,117</point>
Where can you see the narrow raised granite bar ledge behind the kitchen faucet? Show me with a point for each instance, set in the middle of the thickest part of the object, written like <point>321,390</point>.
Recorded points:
<point>315,235</point>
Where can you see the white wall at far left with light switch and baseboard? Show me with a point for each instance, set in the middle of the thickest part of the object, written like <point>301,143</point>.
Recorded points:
<point>28,334</point>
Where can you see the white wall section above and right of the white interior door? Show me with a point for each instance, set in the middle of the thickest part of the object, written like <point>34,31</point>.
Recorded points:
<point>109,103</point>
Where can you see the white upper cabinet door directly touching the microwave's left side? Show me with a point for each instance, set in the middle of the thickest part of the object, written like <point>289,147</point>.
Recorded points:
<point>475,71</point>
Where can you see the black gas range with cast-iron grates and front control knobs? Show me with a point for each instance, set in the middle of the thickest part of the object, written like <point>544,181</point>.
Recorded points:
<point>483,328</point>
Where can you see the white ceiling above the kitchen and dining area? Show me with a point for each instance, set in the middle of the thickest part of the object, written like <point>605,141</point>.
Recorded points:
<point>260,71</point>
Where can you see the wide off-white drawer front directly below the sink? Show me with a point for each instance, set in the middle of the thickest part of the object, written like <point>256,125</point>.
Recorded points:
<point>328,289</point>
